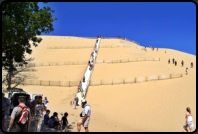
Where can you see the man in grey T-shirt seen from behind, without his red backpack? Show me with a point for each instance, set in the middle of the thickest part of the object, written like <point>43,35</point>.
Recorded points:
<point>16,111</point>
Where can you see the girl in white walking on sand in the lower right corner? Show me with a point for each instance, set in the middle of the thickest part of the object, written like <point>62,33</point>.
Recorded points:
<point>189,120</point>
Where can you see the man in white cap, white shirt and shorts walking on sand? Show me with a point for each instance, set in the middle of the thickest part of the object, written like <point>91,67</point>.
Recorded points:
<point>86,112</point>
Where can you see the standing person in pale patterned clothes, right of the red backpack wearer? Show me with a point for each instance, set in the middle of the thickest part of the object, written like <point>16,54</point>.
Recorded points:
<point>38,116</point>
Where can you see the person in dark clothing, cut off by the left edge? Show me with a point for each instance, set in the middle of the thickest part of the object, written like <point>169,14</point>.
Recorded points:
<point>5,112</point>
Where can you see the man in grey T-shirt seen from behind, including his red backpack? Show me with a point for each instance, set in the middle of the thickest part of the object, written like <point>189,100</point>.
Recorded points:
<point>16,115</point>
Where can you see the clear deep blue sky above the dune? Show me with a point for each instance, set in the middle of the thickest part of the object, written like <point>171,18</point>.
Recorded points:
<point>160,24</point>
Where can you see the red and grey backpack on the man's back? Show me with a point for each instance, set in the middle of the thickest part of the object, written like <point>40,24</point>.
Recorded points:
<point>22,118</point>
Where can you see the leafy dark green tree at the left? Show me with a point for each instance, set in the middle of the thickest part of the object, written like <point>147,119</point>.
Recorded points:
<point>21,22</point>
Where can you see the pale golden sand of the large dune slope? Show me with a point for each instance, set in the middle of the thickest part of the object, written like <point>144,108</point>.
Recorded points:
<point>155,106</point>
